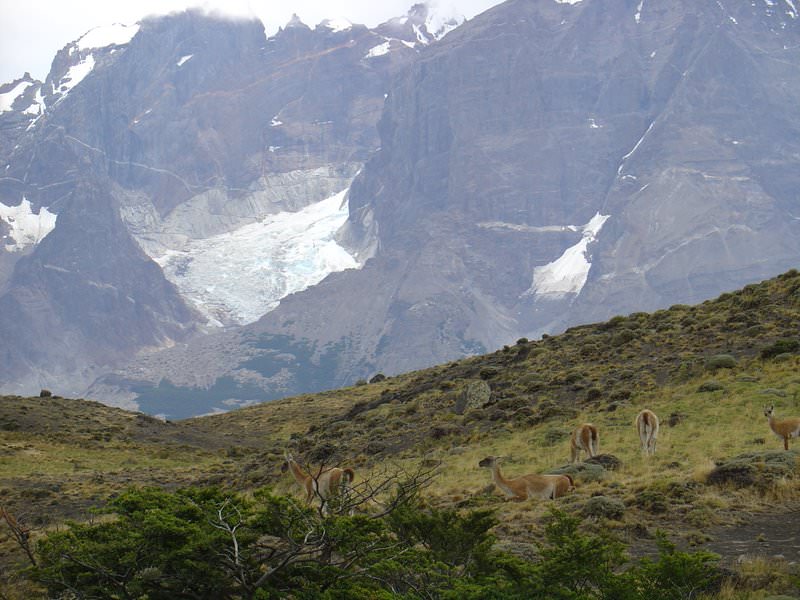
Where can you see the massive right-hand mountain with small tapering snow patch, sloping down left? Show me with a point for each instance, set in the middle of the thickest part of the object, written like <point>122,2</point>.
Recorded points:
<point>543,165</point>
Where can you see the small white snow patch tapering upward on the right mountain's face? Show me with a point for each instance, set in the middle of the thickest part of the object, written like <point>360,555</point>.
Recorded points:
<point>568,273</point>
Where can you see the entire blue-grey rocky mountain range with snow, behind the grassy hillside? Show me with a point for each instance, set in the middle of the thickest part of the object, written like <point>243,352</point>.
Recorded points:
<point>545,164</point>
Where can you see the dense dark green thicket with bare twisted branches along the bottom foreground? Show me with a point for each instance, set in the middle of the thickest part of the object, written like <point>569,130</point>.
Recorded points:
<point>206,543</point>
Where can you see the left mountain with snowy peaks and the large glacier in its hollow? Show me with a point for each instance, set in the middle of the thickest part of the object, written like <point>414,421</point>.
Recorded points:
<point>149,145</point>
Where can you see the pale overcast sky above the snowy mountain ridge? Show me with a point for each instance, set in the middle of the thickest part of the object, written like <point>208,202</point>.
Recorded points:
<point>31,32</point>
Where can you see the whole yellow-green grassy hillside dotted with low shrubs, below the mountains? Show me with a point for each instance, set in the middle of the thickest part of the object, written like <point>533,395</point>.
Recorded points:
<point>706,370</point>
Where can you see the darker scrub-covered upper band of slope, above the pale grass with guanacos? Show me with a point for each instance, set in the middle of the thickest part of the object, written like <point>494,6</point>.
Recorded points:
<point>599,367</point>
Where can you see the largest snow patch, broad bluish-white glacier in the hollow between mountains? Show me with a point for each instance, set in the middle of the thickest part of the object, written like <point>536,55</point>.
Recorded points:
<point>236,277</point>
